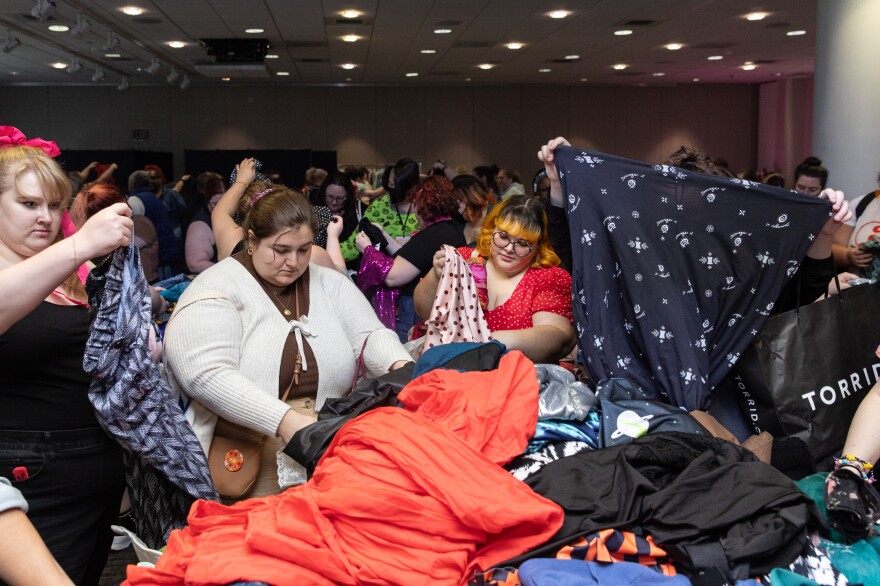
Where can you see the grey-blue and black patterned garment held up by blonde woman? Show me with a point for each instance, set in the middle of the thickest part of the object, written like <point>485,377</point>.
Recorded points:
<point>166,469</point>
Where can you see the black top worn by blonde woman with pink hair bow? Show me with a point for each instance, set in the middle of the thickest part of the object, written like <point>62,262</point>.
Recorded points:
<point>44,386</point>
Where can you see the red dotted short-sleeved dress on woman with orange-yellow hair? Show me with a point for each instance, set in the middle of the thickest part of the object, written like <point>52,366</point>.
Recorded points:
<point>539,289</point>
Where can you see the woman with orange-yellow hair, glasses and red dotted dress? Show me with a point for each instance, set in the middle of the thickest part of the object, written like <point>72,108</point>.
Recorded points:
<point>525,296</point>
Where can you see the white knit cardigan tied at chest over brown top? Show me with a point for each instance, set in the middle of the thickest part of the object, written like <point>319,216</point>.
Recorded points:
<point>224,342</point>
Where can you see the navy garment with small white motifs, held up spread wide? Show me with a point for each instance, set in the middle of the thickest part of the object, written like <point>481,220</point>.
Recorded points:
<point>674,272</point>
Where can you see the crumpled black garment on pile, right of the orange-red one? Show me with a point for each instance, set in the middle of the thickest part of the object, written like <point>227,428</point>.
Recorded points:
<point>706,501</point>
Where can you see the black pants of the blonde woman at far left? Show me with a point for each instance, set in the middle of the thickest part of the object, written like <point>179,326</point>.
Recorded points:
<point>73,489</point>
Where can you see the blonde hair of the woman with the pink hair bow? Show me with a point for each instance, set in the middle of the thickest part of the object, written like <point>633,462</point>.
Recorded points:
<point>18,160</point>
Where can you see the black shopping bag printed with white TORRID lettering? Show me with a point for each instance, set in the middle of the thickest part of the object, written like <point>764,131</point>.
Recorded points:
<point>806,371</point>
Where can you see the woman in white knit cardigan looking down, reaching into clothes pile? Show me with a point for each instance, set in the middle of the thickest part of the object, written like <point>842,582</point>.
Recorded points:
<point>264,321</point>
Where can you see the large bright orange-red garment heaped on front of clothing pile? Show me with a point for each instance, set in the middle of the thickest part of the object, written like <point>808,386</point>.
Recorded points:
<point>400,495</point>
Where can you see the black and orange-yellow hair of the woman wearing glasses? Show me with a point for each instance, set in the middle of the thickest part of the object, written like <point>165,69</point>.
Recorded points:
<point>521,217</point>
